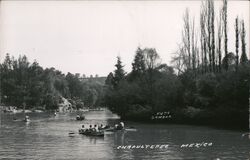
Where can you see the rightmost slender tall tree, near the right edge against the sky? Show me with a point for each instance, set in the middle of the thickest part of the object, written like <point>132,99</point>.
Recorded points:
<point>243,58</point>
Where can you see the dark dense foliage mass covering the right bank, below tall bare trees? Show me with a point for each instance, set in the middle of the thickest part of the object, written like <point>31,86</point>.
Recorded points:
<point>206,98</point>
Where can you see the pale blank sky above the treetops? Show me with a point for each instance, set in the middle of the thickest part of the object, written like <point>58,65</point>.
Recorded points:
<point>86,37</point>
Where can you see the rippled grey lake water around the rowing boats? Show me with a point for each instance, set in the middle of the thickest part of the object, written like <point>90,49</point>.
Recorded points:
<point>46,137</point>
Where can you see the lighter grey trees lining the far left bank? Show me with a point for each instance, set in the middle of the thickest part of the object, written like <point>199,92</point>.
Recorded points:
<point>29,85</point>
